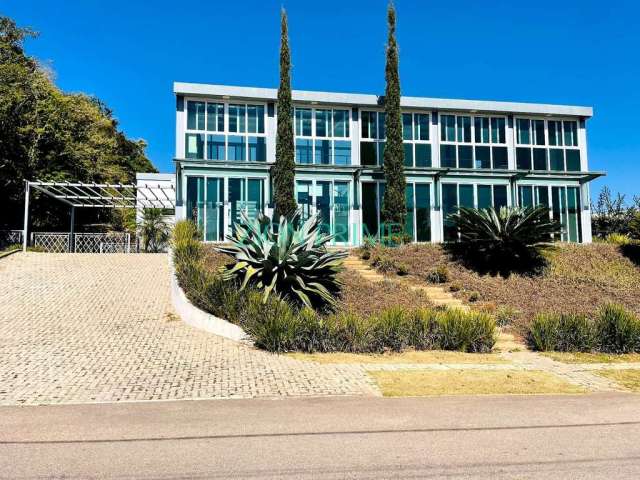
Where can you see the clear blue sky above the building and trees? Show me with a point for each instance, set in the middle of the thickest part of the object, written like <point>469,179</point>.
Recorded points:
<point>128,53</point>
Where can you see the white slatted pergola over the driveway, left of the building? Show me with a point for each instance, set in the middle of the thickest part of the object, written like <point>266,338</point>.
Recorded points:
<point>101,195</point>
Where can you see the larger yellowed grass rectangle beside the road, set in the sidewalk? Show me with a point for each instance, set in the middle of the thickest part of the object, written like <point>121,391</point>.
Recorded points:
<point>470,382</point>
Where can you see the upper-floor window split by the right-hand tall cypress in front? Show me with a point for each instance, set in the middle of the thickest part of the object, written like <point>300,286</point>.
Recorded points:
<point>415,134</point>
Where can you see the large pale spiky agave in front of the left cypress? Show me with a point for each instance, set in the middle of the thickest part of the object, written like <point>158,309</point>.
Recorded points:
<point>292,262</point>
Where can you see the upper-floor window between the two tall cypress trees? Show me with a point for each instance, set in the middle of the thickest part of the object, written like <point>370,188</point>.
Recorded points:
<point>322,136</point>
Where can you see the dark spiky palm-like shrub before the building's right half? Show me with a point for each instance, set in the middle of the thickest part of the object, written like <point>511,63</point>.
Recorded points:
<point>505,239</point>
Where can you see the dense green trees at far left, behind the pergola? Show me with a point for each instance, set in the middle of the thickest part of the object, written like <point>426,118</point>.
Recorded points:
<point>46,134</point>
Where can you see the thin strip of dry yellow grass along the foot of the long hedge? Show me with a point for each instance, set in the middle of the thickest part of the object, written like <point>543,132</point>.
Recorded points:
<point>428,356</point>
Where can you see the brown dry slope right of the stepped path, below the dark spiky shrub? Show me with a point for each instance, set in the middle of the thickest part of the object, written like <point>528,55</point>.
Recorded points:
<point>579,278</point>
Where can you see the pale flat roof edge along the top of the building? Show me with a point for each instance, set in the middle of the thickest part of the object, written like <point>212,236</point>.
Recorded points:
<point>270,94</point>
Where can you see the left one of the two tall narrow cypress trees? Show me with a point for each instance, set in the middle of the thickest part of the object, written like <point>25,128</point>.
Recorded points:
<point>284,168</point>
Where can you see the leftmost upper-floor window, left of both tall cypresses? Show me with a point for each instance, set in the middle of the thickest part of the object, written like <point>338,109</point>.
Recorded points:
<point>225,131</point>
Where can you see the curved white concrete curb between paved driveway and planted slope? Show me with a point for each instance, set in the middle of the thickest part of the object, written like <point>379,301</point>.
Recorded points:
<point>192,315</point>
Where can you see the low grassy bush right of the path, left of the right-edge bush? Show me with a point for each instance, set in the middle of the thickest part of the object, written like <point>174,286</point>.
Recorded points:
<point>561,332</point>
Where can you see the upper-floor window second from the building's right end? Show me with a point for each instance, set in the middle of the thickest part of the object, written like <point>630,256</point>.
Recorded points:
<point>468,141</point>
